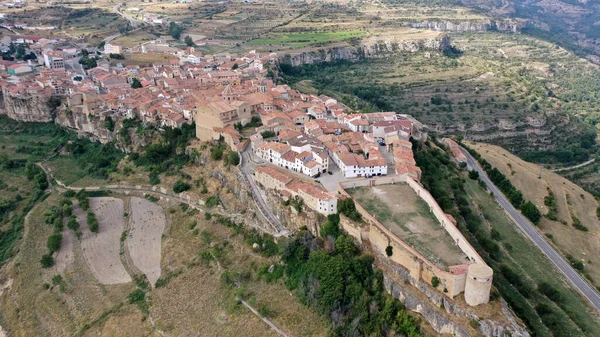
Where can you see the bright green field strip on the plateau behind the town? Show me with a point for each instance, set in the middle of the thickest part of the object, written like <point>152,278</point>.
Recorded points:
<point>299,40</point>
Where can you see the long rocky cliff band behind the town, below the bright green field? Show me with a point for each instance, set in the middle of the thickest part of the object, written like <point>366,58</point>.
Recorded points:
<point>370,47</point>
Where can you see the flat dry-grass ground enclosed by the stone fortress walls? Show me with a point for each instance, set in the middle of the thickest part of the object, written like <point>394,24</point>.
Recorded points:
<point>400,209</point>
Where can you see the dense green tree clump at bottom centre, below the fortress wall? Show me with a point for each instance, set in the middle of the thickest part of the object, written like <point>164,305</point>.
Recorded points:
<point>342,285</point>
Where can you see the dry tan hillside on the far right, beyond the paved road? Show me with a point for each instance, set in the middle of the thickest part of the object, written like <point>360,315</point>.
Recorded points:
<point>572,202</point>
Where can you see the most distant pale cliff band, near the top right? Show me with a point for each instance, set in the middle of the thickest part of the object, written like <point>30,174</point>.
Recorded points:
<point>471,26</point>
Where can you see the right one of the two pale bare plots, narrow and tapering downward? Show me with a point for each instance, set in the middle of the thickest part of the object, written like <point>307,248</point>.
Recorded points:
<point>145,236</point>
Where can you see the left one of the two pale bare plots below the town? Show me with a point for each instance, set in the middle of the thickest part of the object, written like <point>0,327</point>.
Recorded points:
<point>102,250</point>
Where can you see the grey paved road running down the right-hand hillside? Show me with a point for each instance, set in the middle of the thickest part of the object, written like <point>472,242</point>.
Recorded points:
<point>529,229</point>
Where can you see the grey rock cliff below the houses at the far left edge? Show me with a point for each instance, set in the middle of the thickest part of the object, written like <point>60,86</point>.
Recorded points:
<point>27,108</point>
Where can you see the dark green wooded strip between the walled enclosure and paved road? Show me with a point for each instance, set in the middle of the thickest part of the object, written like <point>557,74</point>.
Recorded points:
<point>544,315</point>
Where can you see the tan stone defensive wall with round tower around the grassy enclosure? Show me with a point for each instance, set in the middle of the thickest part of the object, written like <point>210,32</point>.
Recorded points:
<point>474,278</point>
